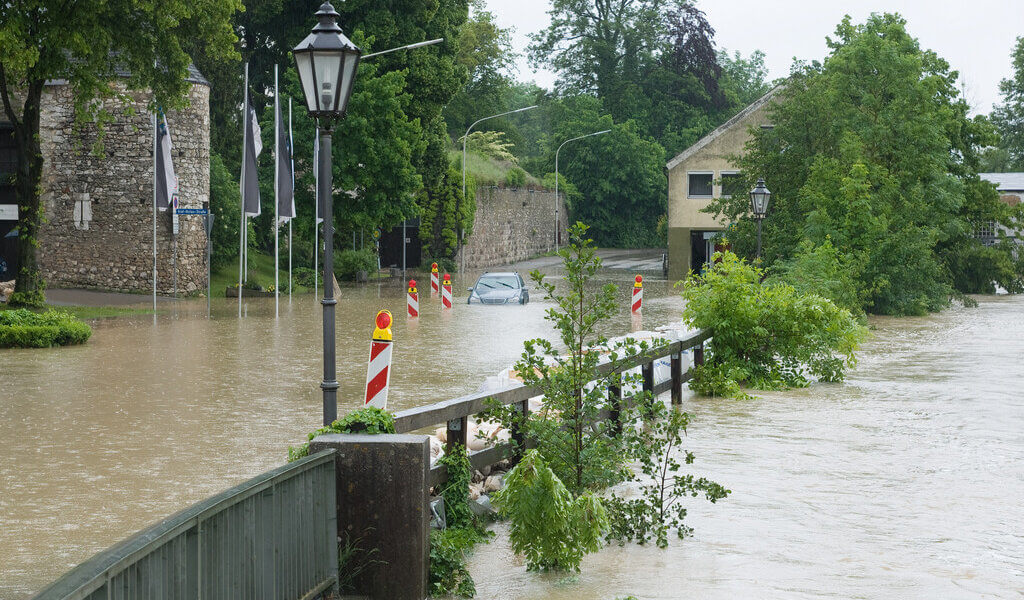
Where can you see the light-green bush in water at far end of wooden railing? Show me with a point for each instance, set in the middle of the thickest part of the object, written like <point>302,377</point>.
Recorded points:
<point>772,333</point>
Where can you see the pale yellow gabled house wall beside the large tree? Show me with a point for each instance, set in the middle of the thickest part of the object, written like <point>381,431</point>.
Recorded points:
<point>686,213</point>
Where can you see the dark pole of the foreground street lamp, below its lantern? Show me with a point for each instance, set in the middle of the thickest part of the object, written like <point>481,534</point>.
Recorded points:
<point>330,383</point>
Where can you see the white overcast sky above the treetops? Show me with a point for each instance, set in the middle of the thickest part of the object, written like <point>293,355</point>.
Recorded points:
<point>975,37</point>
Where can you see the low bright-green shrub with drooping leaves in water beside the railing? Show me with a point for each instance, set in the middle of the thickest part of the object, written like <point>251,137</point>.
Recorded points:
<point>550,528</point>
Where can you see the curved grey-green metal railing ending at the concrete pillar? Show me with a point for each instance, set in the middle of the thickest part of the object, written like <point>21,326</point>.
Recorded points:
<point>274,537</point>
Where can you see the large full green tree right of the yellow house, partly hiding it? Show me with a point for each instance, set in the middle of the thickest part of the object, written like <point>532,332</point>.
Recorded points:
<point>874,151</point>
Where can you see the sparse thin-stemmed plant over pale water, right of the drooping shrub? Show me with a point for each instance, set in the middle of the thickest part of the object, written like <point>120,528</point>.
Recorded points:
<point>659,509</point>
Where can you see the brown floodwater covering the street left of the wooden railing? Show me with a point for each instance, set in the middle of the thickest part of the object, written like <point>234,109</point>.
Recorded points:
<point>151,416</point>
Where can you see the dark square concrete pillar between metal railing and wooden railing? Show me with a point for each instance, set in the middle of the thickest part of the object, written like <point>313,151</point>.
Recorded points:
<point>383,502</point>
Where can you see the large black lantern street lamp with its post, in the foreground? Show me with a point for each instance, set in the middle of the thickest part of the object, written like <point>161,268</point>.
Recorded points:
<point>327,63</point>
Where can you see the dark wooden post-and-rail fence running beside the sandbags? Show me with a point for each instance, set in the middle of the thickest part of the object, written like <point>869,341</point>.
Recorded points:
<point>456,413</point>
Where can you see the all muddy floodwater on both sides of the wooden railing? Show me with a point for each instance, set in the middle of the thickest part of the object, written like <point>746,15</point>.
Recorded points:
<point>904,483</point>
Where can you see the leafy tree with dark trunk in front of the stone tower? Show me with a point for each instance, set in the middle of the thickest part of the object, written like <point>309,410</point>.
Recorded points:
<point>42,40</point>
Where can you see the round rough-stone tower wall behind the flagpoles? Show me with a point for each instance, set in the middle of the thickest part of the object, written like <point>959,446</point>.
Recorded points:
<point>99,211</point>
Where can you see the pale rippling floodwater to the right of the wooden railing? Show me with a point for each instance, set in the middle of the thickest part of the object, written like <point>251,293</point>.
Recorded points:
<point>907,482</point>
